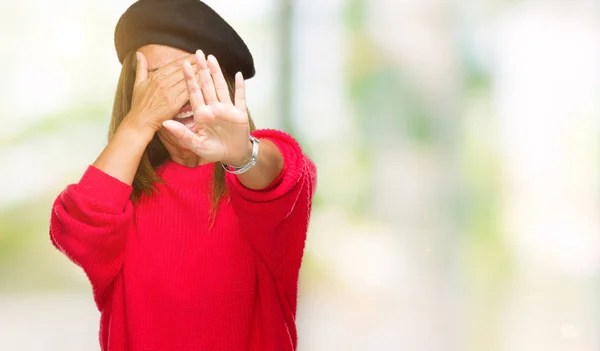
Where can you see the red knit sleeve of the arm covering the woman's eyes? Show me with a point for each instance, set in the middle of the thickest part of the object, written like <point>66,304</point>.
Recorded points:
<point>89,223</point>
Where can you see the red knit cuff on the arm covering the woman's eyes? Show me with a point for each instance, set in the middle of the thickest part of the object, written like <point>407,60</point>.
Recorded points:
<point>104,188</point>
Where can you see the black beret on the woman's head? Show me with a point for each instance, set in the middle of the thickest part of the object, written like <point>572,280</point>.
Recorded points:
<point>188,25</point>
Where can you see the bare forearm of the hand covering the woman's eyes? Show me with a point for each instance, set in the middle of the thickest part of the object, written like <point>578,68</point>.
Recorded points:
<point>121,157</point>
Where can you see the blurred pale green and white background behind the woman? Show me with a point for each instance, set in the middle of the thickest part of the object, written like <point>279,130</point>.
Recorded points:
<point>457,149</point>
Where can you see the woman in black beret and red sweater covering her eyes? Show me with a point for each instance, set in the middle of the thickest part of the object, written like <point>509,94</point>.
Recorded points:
<point>190,225</point>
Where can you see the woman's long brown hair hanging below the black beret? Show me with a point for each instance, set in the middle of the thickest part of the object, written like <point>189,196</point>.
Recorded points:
<point>156,154</point>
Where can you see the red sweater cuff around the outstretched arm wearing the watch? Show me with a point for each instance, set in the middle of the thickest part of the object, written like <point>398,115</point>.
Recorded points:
<point>293,166</point>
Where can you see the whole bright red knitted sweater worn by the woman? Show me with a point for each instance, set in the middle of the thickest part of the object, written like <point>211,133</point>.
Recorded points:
<point>164,280</point>
